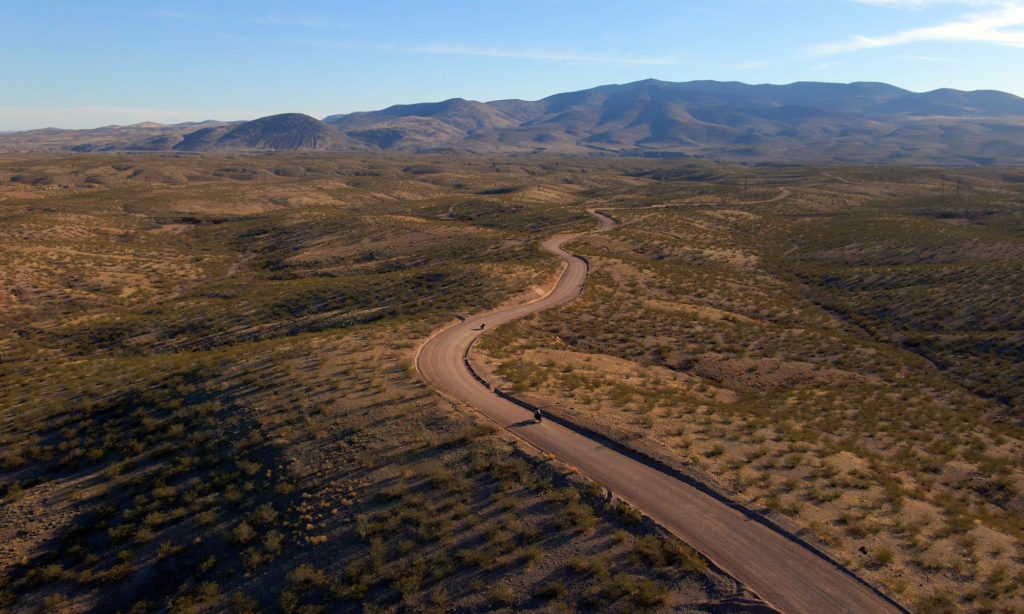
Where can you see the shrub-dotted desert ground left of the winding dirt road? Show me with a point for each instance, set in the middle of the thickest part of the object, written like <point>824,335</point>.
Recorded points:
<point>208,400</point>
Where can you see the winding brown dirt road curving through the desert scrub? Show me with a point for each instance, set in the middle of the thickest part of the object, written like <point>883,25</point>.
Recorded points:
<point>788,576</point>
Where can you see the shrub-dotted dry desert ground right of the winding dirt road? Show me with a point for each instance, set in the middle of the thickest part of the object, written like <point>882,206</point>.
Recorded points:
<point>818,358</point>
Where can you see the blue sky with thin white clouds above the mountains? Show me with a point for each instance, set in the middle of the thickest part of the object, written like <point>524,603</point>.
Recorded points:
<point>87,64</point>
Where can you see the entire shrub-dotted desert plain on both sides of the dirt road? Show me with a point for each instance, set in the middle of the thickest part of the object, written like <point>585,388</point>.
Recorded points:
<point>208,400</point>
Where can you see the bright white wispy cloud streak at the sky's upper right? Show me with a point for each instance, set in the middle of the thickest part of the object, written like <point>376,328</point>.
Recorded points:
<point>1001,27</point>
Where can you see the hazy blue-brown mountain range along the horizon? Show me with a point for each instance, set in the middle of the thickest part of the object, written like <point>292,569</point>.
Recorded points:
<point>800,122</point>
